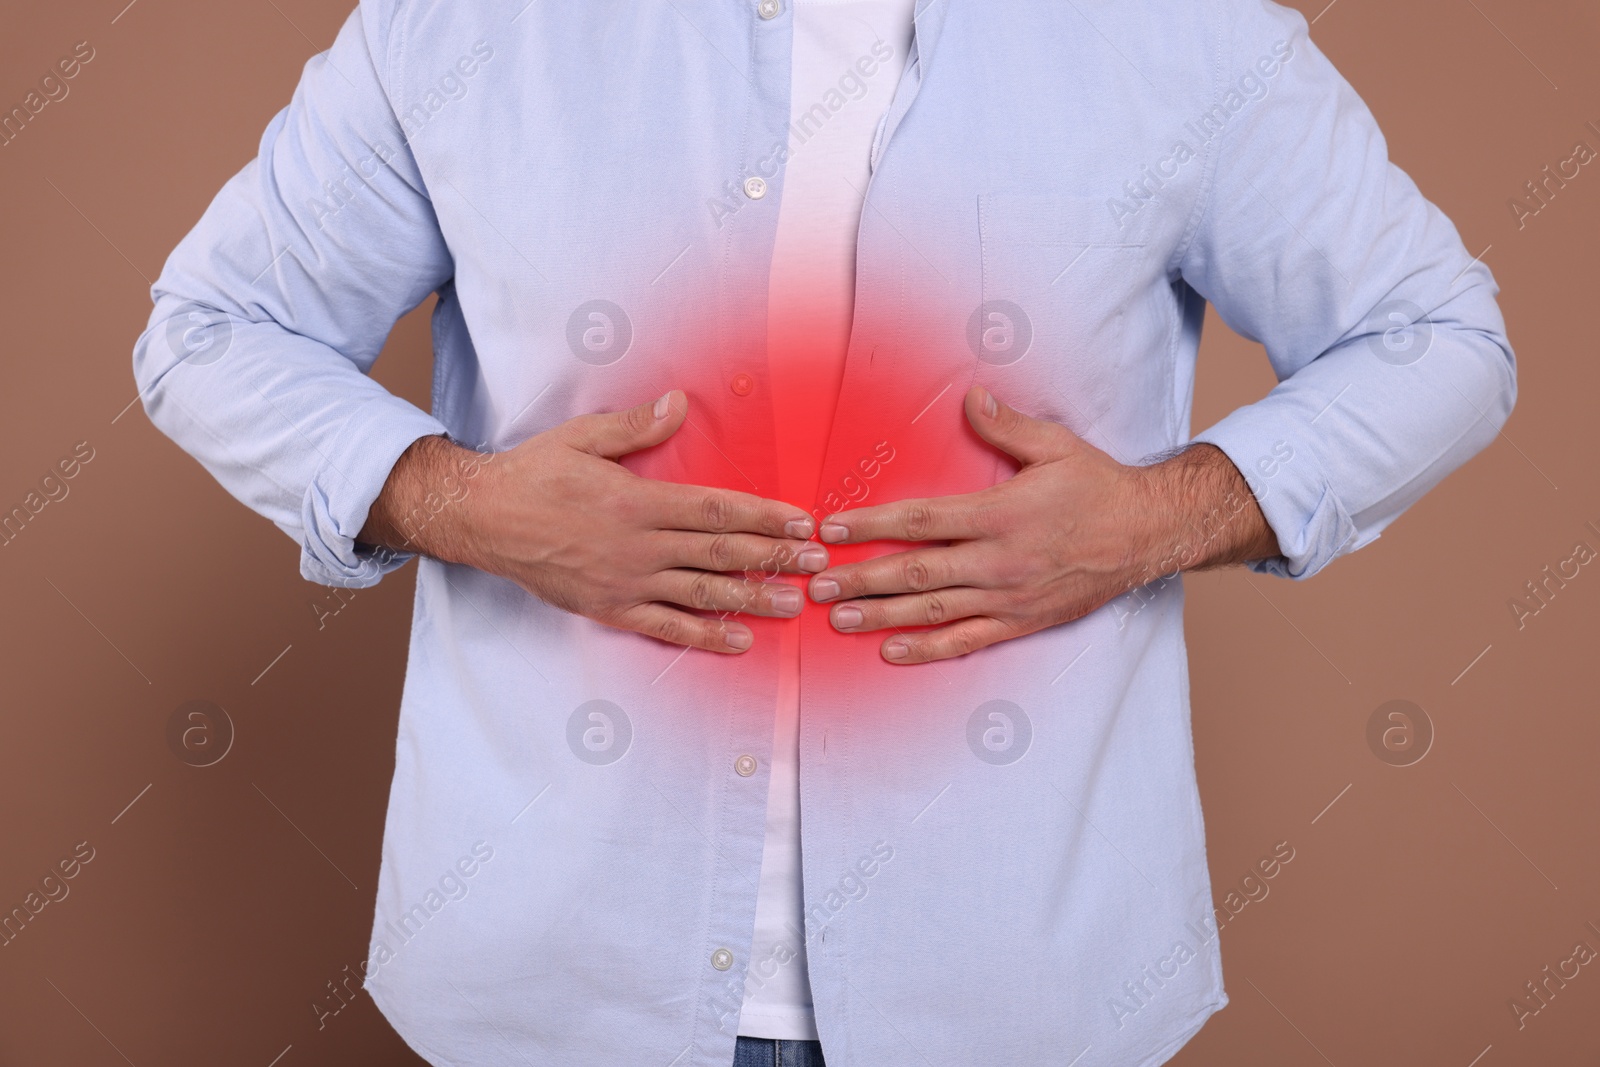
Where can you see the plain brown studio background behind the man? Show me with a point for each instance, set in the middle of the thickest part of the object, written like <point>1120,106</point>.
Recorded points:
<point>207,924</point>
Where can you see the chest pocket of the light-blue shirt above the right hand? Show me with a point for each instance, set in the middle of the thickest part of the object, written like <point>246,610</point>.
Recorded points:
<point>1078,316</point>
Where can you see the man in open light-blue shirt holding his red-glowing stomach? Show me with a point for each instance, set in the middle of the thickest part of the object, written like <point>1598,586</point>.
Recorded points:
<point>798,661</point>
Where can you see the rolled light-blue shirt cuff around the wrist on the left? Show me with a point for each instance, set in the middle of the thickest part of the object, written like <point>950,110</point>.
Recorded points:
<point>351,478</point>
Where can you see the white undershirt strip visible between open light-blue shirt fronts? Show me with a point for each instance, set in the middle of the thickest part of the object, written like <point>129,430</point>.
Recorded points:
<point>849,57</point>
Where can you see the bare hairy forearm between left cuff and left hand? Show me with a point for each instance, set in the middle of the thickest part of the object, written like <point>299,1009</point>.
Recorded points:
<point>425,503</point>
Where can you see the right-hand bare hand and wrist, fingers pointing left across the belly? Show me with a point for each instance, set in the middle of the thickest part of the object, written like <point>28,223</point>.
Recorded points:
<point>1068,533</point>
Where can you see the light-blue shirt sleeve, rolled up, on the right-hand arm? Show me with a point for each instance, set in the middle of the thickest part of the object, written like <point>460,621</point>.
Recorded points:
<point>1382,327</point>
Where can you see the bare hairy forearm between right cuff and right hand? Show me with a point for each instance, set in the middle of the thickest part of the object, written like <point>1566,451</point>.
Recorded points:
<point>1201,514</point>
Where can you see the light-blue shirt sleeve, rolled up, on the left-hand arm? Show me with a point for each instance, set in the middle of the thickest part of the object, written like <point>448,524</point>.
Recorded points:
<point>271,313</point>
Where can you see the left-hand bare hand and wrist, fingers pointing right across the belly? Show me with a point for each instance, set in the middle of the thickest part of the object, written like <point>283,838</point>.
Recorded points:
<point>569,524</point>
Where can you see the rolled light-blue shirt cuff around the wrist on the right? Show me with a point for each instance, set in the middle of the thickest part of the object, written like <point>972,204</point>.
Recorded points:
<point>1302,508</point>
